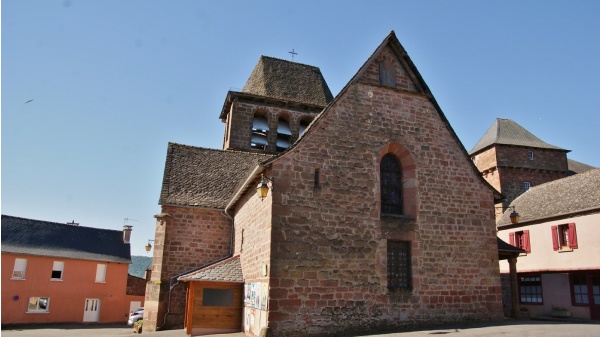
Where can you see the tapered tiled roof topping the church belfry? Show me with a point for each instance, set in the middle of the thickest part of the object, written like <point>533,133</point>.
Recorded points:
<point>287,80</point>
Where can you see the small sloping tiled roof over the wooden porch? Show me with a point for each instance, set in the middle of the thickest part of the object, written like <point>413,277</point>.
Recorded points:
<point>229,270</point>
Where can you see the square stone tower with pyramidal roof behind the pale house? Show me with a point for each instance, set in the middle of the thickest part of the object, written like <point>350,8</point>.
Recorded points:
<point>512,160</point>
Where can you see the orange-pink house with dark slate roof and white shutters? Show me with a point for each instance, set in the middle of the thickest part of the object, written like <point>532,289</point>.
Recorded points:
<point>55,272</point>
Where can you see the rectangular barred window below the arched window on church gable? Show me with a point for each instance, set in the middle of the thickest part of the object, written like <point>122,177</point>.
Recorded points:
<point>398,265</point>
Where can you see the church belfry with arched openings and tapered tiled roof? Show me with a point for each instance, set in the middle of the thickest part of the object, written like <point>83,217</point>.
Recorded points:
<point>278,102</point>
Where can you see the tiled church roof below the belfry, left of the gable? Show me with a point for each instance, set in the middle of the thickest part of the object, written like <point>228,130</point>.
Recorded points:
<point>196,176</point>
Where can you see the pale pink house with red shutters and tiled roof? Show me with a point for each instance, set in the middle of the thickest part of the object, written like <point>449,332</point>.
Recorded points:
<point>559,275</point>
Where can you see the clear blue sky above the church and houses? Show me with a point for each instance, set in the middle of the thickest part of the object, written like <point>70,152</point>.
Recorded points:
<point>112,82</point>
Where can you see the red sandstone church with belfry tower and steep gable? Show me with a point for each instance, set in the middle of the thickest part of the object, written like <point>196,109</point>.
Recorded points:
<point>325,215</point>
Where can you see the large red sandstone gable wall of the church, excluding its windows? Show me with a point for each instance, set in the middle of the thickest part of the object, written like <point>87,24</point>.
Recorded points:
<point>329,244</point>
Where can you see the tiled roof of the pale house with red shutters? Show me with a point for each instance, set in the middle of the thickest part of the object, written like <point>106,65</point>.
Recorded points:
<point>558,198</point>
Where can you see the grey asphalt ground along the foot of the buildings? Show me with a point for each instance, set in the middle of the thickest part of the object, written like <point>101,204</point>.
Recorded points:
<point>504,328</point>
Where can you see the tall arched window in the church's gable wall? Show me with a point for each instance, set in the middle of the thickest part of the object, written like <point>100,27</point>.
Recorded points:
<point>391,185</point>
